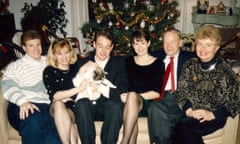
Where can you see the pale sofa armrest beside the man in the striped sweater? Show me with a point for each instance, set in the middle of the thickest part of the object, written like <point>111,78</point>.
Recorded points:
<point>4,125</point>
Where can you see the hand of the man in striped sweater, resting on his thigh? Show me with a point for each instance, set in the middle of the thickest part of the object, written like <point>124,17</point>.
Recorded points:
<point>25,108</point>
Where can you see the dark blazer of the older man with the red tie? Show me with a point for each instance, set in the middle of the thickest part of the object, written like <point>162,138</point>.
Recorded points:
<point>182,58</point>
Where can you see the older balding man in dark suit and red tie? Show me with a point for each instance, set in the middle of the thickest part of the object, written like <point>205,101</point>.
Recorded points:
<point>164,112</point>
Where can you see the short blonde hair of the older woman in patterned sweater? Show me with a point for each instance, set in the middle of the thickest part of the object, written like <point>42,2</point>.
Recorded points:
<point>209,32</point>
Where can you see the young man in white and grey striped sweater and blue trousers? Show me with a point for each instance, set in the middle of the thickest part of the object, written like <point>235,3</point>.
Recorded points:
<point>22,86</point>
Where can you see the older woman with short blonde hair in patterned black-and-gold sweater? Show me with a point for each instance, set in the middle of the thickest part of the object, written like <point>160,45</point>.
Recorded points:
<point>208,91</point>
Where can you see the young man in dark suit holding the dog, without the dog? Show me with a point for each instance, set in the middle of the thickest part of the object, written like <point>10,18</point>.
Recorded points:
<point>108,107</point>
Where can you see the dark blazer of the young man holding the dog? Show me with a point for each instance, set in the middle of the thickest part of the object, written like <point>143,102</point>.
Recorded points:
<point>116,73</point>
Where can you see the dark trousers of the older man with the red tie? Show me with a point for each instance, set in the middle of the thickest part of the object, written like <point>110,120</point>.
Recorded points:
<point>162,118</point>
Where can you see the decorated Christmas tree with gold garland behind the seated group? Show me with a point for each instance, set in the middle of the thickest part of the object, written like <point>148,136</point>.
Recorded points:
<point>123,17</point>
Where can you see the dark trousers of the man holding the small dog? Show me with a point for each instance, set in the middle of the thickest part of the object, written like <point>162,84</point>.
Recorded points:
<point>108,111</point>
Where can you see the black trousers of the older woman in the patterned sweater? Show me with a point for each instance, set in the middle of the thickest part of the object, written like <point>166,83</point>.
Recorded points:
<point>190,131</point>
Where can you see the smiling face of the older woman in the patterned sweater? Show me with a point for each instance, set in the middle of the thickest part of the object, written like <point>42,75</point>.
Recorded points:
<point>206,49</point>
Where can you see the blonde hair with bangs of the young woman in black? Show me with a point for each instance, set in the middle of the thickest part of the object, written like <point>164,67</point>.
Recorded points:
<point>56,47</point>
